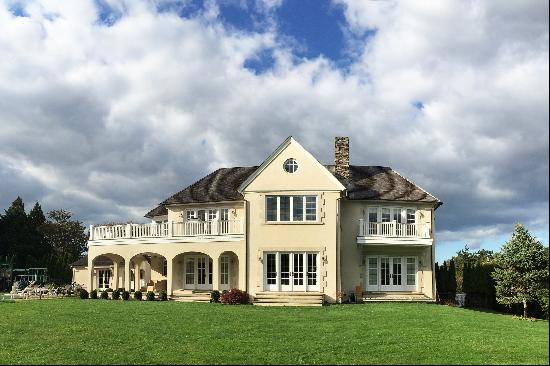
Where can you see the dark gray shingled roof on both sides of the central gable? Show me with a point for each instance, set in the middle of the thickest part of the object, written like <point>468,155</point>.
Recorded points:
<point>365,183</point>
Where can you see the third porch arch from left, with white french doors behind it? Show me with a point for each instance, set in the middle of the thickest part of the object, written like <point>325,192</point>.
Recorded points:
<point>192,271</point>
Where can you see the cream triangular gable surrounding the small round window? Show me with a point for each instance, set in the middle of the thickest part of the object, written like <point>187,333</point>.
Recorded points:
<point>310,175</point>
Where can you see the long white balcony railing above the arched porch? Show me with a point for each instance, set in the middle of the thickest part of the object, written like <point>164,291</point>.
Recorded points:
<point>166,229</point>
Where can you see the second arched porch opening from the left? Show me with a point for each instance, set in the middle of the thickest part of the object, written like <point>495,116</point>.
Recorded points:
<point>148,269</point>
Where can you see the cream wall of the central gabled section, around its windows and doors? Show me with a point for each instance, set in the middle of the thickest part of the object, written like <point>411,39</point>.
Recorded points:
<point>311,178</point>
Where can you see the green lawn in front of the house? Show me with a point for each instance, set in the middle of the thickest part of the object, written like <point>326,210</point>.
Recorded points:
<point>114,332</point>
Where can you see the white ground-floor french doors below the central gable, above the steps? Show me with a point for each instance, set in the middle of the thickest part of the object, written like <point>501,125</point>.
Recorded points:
<point>291,271</point>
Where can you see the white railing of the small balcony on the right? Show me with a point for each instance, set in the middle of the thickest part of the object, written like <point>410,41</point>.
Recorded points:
<point>394,229</point>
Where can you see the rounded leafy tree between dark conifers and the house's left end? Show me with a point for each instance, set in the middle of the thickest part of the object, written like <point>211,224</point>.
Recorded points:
<point>67,241</point>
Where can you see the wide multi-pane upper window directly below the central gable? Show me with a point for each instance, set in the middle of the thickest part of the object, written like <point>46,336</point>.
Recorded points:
<point>291,208</point>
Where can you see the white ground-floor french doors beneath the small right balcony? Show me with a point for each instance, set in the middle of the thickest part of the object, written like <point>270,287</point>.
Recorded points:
<point>386,273</point>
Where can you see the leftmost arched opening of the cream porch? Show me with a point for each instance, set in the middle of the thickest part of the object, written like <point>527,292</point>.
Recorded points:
<point>107,272</point>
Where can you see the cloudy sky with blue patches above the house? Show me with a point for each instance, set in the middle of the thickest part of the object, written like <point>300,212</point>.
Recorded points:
<point>108,107</point>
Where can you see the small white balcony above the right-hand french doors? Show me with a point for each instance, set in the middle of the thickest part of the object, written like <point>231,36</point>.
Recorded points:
<point>394,232</point>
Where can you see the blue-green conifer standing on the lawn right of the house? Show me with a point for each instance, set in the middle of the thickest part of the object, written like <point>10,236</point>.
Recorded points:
<point>521,273</point>
